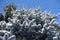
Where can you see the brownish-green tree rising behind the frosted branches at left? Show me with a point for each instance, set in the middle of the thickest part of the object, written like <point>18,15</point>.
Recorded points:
<point>8,9</point>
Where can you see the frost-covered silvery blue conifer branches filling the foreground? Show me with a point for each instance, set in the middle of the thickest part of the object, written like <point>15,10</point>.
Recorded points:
<point>30,24</point>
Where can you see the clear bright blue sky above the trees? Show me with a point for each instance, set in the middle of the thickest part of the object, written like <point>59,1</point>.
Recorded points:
<point>50,5</point>
